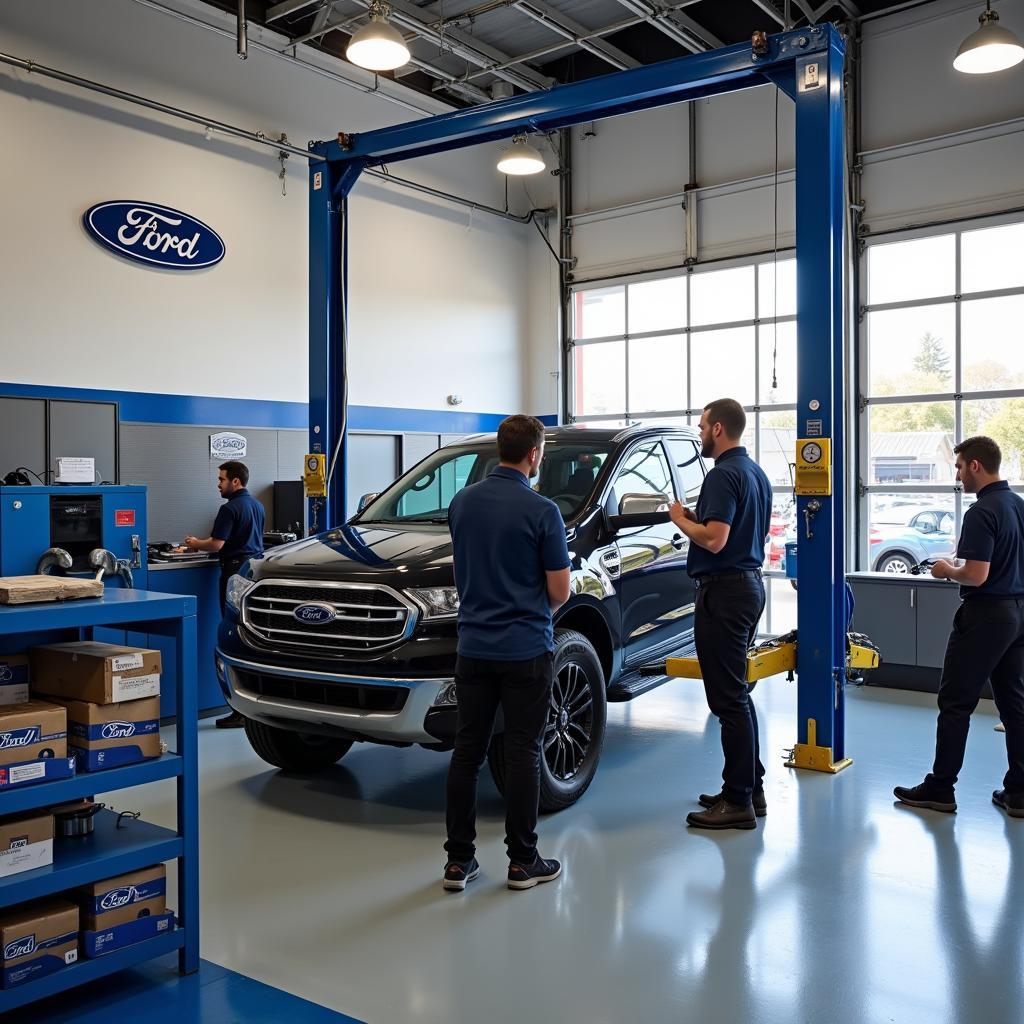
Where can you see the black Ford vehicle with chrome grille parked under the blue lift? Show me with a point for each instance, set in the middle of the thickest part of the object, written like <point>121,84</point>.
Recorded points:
<point>351,636</point>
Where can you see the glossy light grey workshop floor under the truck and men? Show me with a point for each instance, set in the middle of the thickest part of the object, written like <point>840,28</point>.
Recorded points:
<point>841,908</point>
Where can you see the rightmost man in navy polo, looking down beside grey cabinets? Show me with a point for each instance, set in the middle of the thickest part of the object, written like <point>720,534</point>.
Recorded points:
<point>988,639</point>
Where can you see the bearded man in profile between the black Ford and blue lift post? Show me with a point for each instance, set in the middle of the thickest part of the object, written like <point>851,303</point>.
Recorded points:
<point>728,548</point>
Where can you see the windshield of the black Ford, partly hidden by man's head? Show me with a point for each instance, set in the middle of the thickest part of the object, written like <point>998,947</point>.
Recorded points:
<point>423,495</point>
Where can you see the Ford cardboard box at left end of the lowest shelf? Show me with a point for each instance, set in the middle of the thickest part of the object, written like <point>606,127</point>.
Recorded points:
<point>37,940</point>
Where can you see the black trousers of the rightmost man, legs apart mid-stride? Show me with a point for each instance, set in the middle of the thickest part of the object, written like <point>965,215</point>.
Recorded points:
<point>987,645</point>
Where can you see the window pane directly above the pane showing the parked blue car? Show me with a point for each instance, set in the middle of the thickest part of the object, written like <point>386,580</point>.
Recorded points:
<point>912,444</point>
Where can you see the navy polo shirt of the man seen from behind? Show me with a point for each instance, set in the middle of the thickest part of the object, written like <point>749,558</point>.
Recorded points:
<point>505,539</point>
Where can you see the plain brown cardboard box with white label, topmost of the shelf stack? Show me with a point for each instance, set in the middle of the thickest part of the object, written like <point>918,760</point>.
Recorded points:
<point>101,673</point>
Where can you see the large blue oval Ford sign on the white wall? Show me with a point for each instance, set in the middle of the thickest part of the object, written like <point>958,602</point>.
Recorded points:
<point>154,235</point>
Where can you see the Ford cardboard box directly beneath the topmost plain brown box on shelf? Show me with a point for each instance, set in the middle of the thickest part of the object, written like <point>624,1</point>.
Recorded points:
<point>110,736</point>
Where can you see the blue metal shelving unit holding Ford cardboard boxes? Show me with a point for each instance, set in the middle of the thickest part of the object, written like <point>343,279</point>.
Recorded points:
<point>110,850</point>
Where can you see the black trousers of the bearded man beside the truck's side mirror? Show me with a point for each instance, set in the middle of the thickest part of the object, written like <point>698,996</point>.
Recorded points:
<point>726,624</point>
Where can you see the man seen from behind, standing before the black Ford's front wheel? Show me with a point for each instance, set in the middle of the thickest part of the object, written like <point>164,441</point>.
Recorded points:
<point>513,574</point>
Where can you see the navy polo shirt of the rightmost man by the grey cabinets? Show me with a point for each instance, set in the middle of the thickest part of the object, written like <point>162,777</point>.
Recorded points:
<point>994,533</point>
